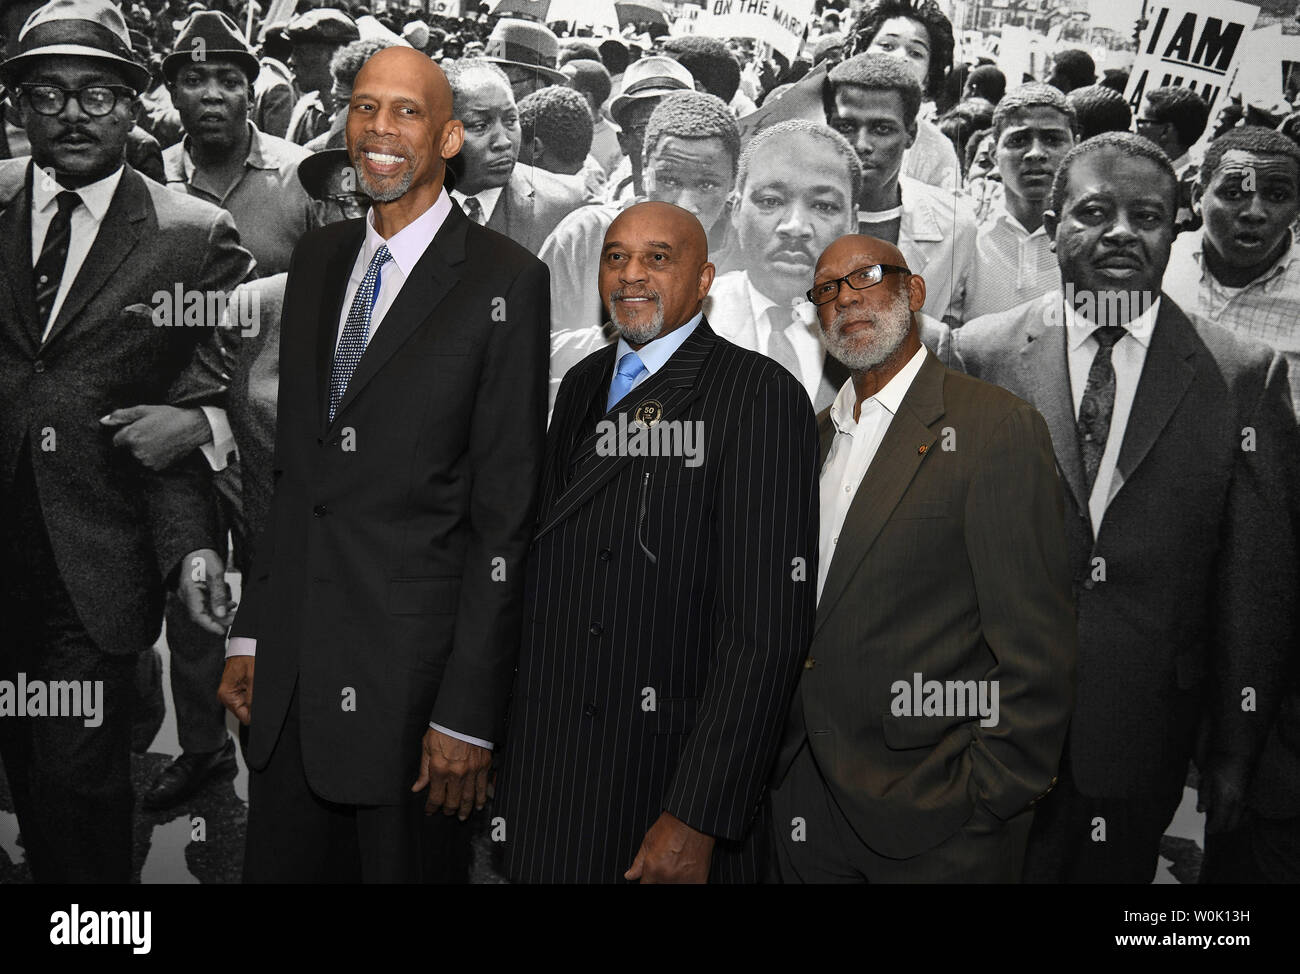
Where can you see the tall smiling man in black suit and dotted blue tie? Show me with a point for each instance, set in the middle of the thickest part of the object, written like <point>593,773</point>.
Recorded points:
<point>385,600</point>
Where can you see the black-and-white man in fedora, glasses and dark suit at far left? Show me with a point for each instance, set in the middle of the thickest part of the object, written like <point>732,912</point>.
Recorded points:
<point>94,542</point>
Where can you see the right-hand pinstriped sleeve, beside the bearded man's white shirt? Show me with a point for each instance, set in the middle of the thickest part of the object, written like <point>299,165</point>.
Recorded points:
<point>766,531</point>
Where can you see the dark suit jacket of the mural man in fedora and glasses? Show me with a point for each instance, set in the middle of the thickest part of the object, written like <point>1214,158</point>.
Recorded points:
<point>118,530</point>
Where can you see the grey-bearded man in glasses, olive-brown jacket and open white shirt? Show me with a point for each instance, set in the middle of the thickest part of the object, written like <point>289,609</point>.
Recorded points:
<point>941,522</point>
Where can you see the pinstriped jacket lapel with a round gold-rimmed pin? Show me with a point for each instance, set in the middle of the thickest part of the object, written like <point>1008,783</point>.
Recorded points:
<point>674,387</point>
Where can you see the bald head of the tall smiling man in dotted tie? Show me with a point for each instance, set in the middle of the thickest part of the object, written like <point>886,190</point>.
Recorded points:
<point>400,128</point>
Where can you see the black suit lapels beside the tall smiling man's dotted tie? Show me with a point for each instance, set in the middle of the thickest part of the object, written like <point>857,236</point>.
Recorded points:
<point>419,298</point>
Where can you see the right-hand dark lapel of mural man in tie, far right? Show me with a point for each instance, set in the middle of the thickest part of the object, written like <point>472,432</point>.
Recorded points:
<point>1164,382</point>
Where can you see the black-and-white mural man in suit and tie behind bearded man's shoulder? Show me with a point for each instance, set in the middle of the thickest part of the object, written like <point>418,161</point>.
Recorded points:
<point>1177,445</point>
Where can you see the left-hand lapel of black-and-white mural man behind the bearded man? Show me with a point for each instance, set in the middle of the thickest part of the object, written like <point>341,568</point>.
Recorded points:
<point>1047,379</point>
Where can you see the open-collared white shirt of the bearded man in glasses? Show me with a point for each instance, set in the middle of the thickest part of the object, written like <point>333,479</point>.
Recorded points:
<point>852,452</point>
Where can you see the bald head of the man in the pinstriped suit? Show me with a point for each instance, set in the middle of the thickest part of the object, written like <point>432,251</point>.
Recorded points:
<point>655,271</point>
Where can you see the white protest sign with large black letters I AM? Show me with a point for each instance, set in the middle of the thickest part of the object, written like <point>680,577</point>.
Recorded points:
<point>1195,45</point>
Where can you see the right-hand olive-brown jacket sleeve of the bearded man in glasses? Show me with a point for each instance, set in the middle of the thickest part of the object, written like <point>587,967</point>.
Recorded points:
<point>1017,548</point>
